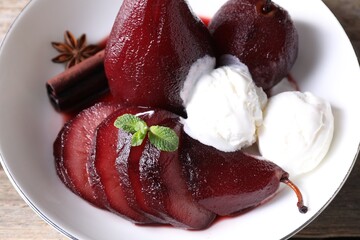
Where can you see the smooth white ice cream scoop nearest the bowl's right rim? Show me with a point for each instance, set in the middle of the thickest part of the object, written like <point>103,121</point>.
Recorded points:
<point>296,132</point>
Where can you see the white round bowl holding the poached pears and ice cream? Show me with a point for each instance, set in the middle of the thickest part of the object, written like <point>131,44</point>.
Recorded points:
<point>326,66</point>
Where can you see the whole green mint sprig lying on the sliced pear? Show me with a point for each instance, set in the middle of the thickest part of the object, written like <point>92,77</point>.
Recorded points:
<point>163,138</point>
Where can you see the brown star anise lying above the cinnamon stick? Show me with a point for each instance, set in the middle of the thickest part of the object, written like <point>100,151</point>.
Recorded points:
<point>73,51</point>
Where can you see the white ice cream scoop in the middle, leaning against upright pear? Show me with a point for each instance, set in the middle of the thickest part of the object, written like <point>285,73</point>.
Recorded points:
<point>225,108</point>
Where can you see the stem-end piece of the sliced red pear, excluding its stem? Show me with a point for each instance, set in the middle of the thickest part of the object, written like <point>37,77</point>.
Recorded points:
<point>227,182</point>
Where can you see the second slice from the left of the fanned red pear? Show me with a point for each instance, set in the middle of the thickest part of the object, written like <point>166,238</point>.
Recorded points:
<point>108,168</point>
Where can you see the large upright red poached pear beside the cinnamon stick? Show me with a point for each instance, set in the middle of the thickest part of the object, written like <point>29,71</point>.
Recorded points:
<point>152,45</point>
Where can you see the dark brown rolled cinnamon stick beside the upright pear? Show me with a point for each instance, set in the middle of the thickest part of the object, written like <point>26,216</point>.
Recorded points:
<point>78,85</point>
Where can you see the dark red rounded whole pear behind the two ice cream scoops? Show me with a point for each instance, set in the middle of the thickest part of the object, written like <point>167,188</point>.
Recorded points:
<point>260,34</point>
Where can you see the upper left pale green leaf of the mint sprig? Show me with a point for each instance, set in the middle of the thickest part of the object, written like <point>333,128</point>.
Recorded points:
<point>131,124</point>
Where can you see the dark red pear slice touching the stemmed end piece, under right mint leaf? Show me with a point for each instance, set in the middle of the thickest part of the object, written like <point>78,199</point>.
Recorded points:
<point>165,187</point>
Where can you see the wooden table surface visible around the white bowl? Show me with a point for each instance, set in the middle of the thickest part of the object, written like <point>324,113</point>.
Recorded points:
<point>340,219</point>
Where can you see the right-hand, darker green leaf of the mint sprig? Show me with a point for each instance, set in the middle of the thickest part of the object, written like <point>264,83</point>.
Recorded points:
<point>163,138</point>
